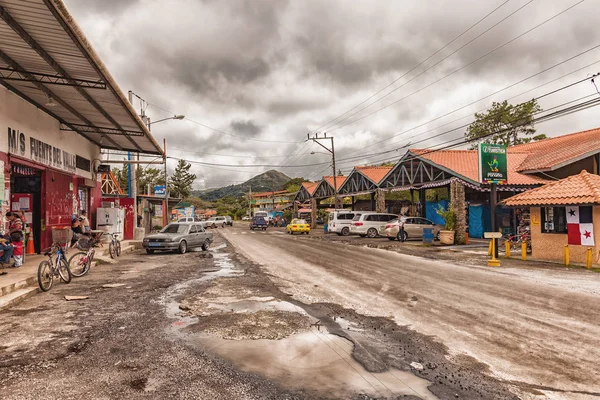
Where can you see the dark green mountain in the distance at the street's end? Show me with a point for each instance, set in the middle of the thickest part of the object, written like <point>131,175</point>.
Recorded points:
<point>265,182</point>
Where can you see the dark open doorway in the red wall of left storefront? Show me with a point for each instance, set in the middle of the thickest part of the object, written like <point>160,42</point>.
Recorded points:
<point>26,198</point>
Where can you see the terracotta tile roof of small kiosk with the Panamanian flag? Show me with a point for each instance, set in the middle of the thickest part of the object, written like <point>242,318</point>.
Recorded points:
<point>583,188</point>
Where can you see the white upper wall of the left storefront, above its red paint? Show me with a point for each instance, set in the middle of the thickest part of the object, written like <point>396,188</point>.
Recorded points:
<point>51,146</point>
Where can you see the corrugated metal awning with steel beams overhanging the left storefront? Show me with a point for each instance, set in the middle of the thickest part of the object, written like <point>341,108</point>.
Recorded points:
<point>46,60</point>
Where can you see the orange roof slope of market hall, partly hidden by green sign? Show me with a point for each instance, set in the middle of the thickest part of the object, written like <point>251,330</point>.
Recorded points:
<point>465,163</point>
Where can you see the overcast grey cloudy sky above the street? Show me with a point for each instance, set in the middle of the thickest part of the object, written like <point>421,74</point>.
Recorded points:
<point>254,77</point>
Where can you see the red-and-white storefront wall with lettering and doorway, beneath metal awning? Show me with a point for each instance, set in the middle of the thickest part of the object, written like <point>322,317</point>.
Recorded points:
<point>48,172</point>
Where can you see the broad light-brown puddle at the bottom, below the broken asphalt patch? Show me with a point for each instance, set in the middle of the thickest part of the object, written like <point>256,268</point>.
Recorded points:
<point>318,361</point>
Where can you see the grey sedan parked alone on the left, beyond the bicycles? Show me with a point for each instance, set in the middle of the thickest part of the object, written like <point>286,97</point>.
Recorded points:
<point>178,237</point>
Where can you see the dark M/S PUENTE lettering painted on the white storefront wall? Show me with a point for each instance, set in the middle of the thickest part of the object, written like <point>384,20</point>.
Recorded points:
<point>41,152</point>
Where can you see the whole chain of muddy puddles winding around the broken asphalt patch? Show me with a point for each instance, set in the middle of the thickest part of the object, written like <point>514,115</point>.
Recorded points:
<point>310,359</point>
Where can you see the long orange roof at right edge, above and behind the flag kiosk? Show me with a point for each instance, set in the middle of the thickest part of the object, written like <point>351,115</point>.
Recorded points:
<point>552,153</point>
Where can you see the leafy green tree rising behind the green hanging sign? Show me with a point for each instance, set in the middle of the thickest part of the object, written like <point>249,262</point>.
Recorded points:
<point>505,124</point>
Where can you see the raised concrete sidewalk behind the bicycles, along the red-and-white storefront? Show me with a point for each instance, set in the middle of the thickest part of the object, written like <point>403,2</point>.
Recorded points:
<point>20,283</point>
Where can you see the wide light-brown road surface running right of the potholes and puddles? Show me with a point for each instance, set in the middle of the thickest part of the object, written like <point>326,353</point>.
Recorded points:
<point>537,327</point>
